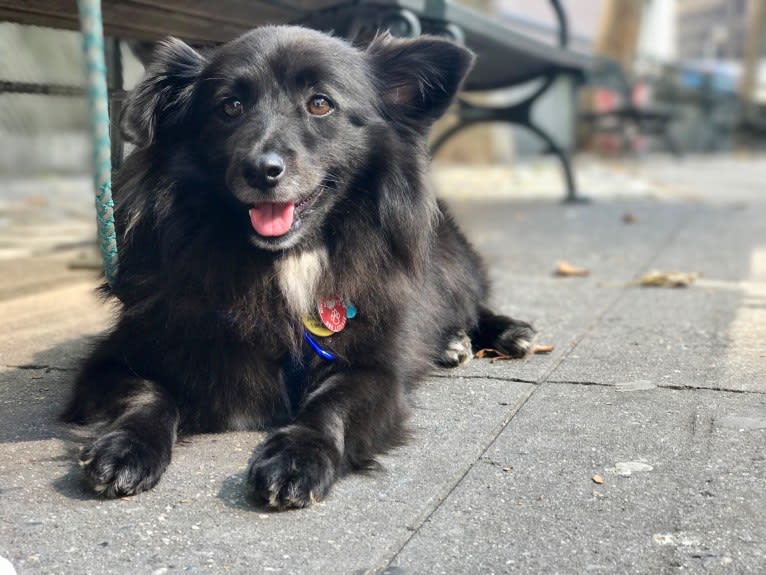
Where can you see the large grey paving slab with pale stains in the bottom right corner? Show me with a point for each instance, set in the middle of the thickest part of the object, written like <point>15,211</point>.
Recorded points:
<point>682,488</point>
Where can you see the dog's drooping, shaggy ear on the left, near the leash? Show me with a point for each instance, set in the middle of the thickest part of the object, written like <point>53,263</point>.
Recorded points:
<point>162,98</point>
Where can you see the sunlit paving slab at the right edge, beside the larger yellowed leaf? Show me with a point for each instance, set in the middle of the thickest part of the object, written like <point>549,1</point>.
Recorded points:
<point>712,334</point>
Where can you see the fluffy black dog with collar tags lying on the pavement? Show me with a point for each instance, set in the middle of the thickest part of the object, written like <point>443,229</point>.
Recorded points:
<point>284,264</point>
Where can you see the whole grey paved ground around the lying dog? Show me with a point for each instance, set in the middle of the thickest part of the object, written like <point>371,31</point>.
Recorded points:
<point>637,446</point>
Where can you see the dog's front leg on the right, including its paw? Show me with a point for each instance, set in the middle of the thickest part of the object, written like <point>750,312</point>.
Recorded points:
<point>343,423</point>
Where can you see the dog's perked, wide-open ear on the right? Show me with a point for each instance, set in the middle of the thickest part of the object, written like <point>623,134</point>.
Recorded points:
<point>418,78</point>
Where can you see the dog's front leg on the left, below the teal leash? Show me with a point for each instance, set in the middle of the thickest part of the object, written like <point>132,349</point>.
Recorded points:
<point>134,450</point>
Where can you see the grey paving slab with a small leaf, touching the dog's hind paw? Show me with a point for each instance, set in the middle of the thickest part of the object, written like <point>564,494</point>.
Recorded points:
<point>522,241</point>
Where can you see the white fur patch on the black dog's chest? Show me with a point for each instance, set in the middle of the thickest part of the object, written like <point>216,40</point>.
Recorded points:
<point>298,277</point>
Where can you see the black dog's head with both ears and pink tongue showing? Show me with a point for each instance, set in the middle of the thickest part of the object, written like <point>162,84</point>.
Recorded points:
<point>286,117</point>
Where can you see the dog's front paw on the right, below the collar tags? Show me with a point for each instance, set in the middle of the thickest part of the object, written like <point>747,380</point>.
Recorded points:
<point>292,468</point>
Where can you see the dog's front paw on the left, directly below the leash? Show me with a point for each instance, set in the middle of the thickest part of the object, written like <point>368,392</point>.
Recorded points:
<point>121,463</point>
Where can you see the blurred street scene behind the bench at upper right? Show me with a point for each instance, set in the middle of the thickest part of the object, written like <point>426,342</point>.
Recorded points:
<point>697,61</point>
